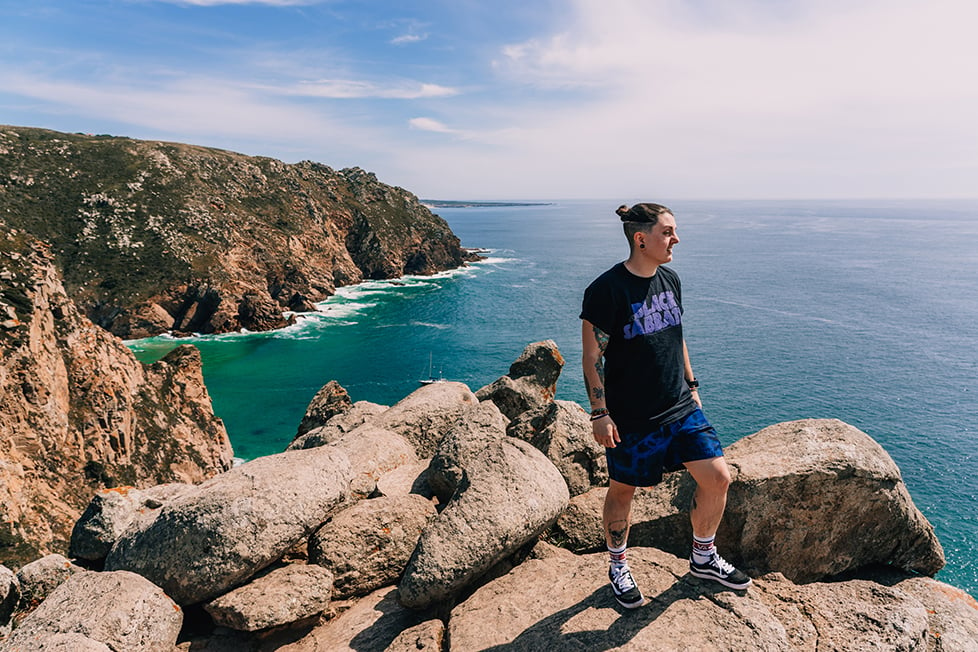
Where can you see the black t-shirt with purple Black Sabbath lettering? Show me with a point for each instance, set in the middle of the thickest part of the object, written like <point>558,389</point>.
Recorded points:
<point>644,368</point>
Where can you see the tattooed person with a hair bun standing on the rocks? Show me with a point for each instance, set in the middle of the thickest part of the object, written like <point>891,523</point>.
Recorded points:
<point>645,403</point>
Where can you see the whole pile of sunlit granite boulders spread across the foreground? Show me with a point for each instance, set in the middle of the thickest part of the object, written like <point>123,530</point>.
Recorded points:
<point>478,569</point>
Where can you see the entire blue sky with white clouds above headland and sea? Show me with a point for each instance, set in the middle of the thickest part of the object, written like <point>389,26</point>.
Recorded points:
<point>526,99</point>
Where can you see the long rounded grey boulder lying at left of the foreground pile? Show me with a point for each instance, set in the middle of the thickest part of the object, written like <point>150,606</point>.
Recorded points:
<point>206,542</point>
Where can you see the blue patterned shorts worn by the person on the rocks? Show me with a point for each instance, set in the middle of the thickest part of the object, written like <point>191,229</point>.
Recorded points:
<point>640,459</point>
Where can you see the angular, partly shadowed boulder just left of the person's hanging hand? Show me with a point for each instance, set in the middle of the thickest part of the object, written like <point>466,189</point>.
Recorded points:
<point>562,431</point>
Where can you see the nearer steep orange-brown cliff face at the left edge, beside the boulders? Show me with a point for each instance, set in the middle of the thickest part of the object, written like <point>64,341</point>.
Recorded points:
<point>79,413</point>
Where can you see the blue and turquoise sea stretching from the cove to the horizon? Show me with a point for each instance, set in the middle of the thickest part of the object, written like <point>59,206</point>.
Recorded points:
<point>861,311</point>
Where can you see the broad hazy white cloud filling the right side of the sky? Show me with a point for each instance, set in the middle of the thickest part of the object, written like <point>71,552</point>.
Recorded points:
<point>828,98</point>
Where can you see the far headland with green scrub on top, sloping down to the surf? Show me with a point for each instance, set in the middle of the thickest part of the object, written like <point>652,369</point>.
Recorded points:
<point>152,237</point>
